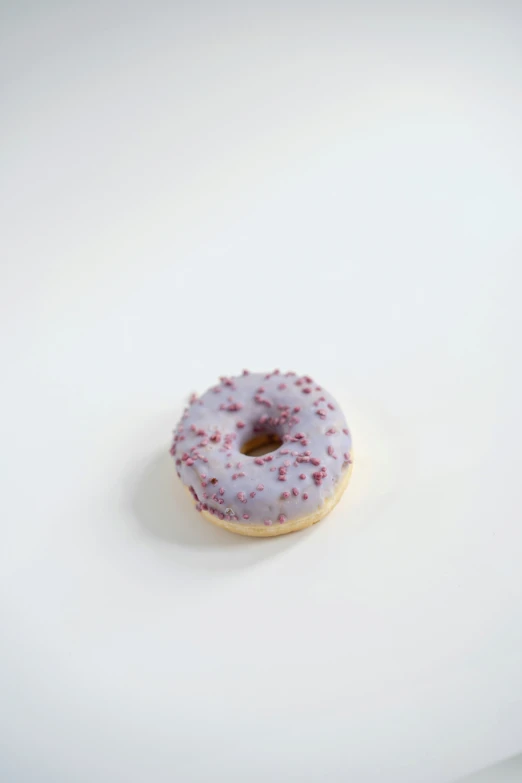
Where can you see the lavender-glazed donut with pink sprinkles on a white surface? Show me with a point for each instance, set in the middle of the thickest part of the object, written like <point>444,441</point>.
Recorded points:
<point>263,454</point>
